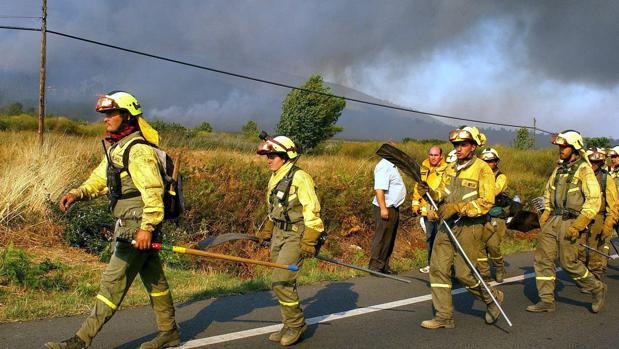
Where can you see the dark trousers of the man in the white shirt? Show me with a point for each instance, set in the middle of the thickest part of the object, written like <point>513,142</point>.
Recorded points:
<point>384,238</point>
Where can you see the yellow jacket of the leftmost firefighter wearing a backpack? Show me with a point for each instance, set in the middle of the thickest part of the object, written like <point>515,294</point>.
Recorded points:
<point>144,168</point>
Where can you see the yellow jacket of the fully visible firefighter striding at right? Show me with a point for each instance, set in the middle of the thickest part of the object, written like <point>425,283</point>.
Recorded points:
<point>583,192</point>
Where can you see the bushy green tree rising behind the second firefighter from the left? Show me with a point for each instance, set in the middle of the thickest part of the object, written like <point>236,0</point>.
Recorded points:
<point>309,118</point>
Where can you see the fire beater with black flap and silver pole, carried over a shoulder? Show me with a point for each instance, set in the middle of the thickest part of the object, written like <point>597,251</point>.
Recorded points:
<point>409,166</point>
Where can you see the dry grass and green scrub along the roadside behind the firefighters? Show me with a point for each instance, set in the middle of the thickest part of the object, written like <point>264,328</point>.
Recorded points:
<point>51,263</point>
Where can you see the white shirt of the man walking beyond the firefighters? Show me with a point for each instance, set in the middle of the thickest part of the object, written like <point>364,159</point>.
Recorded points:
<point>388,178</point>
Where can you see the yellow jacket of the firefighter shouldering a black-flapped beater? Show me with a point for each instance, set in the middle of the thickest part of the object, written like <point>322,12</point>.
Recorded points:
<point>471,184</point>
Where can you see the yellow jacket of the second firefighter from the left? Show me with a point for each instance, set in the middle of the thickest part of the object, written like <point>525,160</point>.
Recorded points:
<point>303,190</point>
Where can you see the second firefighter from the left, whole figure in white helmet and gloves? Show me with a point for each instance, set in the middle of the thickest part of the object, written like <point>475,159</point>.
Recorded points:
<point>293,228</point>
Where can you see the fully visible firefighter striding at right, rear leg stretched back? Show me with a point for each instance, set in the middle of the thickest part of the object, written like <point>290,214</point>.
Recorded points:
<point>571,201</point>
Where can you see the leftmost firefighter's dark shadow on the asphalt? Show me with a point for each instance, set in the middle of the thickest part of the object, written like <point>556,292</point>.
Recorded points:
<point>221,310</point>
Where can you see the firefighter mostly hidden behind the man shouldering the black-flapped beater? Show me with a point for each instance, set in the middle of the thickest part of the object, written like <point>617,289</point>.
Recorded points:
<point>494,231</point>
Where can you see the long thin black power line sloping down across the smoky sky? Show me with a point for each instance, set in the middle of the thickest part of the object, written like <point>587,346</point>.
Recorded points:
<point>247,77</point>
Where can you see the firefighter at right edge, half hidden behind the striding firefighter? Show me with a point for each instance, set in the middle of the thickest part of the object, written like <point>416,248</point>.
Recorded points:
<point>602,227</point>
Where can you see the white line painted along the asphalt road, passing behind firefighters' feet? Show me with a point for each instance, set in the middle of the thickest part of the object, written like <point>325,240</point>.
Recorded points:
<point>197,343</point>
